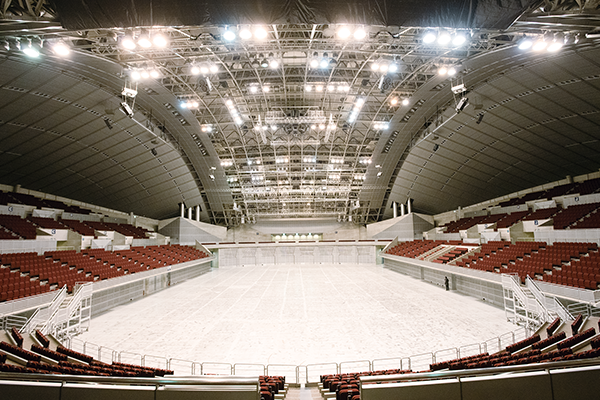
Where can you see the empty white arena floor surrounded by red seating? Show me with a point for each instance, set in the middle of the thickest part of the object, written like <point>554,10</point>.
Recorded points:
<point>297,314</point>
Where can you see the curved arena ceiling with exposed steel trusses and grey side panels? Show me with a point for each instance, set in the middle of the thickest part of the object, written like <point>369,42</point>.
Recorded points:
<point>300,123</point>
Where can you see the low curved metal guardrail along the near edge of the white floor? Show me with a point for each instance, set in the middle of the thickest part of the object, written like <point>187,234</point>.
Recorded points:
<point>295,374</point>
